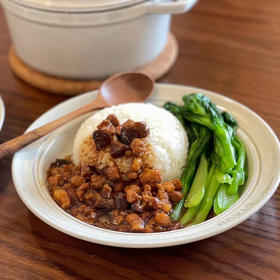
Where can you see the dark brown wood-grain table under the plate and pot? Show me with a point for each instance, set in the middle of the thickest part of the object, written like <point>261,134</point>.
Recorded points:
<point>227,46</point>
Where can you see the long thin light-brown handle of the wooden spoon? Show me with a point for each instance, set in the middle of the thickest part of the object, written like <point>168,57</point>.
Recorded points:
<point>15,144</point>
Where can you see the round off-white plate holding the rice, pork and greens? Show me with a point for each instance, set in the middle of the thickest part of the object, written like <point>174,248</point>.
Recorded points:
<point>30,164</point>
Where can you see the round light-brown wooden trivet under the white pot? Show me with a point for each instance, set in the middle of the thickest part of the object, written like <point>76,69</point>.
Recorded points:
<point>155,69</point>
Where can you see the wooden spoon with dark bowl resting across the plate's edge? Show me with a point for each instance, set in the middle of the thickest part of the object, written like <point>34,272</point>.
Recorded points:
<point>120,88</point>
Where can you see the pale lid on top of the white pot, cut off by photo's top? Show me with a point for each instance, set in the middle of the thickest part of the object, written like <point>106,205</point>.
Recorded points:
<point>78,5</point>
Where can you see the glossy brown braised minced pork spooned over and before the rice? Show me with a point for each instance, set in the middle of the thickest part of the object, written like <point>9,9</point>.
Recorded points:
<point>135,202</point>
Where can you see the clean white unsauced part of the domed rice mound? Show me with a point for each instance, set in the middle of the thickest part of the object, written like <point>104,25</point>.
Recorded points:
<point>168,139</point>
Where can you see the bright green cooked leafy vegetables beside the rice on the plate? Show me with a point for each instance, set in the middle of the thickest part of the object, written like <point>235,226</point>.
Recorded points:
<point>215,166</point>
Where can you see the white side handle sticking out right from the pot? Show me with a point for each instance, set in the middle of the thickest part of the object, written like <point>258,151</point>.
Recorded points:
<point>172,7</point>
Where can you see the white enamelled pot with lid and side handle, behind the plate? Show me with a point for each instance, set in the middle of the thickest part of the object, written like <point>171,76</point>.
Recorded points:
<point>88,39</point>
